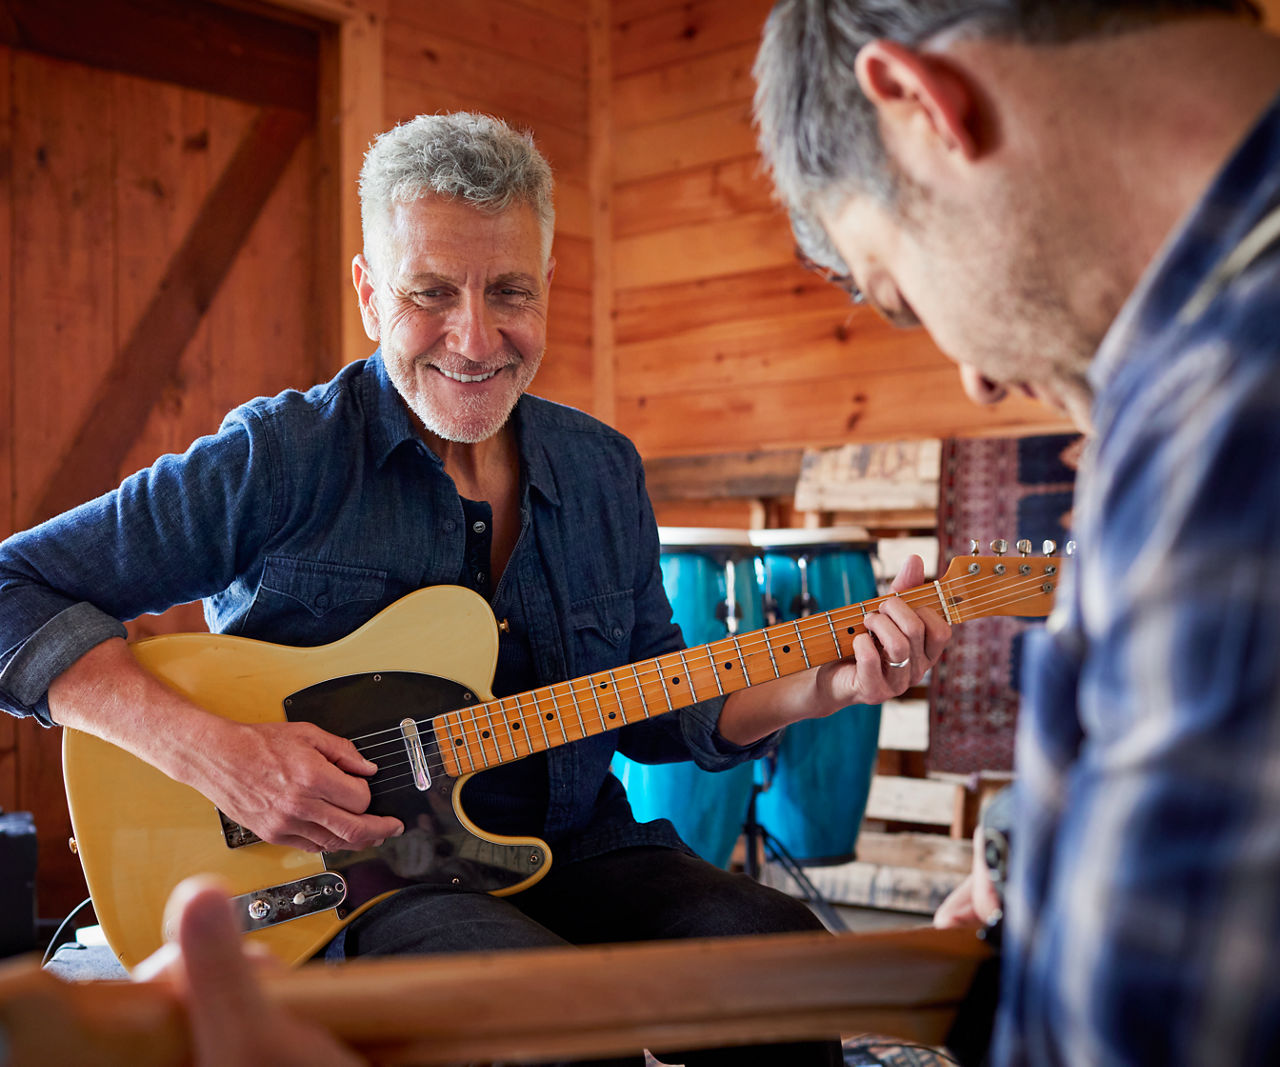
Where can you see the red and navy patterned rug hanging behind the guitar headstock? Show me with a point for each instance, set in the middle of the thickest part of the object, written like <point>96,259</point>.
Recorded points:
<point>993,488</point>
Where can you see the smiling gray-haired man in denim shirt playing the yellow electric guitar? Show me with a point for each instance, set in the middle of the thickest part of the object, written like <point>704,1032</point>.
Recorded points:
<point>428,465</point>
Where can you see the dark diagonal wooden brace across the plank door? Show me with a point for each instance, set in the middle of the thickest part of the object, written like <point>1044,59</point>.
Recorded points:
<point>147,363</point>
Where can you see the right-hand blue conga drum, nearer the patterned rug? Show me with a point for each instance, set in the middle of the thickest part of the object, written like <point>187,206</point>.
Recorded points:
<point>819,781</point>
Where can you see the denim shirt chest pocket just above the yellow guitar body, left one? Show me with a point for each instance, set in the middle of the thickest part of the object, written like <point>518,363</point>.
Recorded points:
<point>308,602</point>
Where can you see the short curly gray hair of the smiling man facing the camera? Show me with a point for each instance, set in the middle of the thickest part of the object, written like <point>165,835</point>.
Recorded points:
<point>465,157</point>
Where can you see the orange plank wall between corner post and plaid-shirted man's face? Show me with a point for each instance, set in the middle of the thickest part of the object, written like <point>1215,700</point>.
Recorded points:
<point>723,344</point>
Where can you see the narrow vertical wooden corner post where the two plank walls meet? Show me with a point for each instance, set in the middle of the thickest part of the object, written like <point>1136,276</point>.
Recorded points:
<point>600,104</point>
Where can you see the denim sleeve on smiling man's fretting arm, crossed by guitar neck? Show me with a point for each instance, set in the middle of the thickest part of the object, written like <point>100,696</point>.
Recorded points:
<point>694,731</point>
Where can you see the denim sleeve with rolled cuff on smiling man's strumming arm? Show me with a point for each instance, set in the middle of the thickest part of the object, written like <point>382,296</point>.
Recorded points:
<point>168,535</point>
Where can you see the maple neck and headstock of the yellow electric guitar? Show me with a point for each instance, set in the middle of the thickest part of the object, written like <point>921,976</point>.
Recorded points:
<point>500,731</point>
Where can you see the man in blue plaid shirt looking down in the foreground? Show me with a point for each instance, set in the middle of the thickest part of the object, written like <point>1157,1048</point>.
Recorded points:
<point>1082,202</point>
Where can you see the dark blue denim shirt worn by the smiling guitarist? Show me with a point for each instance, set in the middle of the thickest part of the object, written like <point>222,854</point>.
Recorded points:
<point>308,514</point>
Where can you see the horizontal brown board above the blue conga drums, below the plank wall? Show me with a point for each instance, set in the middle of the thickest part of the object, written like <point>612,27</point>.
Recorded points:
<point>753,475</point>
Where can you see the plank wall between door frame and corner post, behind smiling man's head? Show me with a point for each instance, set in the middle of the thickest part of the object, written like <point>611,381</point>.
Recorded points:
<point>527,62</point>
